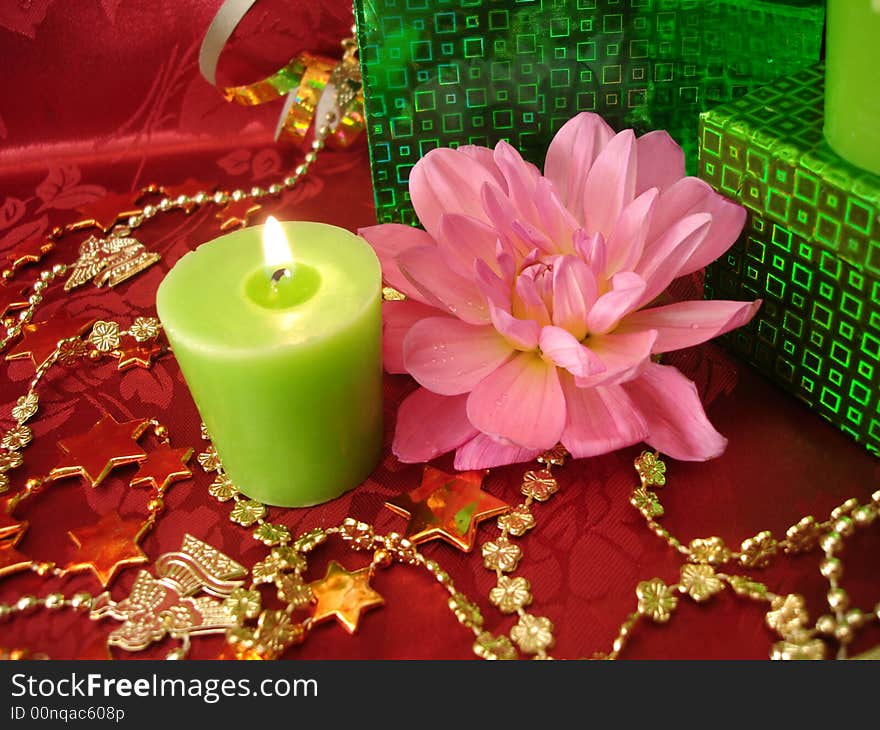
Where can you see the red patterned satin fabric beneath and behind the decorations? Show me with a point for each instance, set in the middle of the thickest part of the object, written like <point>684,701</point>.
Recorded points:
<point>105,95</point>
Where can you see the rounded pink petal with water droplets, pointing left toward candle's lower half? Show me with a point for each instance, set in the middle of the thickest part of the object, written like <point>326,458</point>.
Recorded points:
<point>449,356</point>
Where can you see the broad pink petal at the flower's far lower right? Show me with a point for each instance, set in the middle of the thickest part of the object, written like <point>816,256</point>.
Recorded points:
<point>671,407</point>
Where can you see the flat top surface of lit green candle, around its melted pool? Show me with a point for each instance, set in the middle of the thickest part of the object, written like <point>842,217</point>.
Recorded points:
<point>211,311</point>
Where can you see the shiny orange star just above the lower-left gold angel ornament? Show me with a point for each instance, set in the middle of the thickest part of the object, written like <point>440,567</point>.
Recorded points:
<point>106,547</point>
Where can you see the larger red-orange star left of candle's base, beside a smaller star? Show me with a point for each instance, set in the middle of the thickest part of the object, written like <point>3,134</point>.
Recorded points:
<point>101,449</point>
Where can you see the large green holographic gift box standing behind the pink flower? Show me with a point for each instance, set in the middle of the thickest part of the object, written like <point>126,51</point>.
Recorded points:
<point>449,72</point>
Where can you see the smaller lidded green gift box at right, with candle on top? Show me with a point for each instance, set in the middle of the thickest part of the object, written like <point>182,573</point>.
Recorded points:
<point>810,249</point>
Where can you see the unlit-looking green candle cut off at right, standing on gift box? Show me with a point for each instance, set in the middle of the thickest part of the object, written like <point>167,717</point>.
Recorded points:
<point>852,81</point>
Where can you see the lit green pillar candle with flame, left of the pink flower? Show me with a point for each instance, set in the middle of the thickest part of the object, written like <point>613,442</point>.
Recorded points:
<point>281,350</point>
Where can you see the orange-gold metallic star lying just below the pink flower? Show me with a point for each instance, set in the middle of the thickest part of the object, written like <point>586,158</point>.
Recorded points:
<point>447,506</point>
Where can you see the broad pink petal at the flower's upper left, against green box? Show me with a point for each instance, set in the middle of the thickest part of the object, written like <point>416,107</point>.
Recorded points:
<point>448,181</point>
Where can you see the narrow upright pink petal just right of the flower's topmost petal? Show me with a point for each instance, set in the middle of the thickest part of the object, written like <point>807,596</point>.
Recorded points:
<point>611,184</point>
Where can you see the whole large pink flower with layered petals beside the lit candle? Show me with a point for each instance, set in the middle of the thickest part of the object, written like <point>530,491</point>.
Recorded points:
<point>529,319</point>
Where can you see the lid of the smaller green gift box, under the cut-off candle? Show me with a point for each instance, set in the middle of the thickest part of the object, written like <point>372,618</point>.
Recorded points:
<point>767,151</point>
